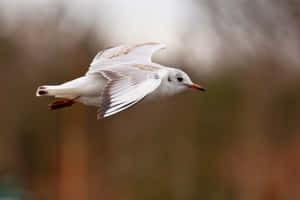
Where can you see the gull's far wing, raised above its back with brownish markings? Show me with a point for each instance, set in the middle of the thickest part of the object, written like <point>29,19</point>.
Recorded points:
<point>139,54</point>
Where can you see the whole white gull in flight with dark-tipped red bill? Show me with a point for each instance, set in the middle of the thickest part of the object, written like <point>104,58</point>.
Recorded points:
<point>118,78</point>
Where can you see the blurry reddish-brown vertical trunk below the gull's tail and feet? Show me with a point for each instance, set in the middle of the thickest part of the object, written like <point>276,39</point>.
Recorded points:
<point>73,157</point>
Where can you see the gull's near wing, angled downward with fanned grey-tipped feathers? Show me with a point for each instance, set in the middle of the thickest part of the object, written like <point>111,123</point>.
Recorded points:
<point>127,85</point>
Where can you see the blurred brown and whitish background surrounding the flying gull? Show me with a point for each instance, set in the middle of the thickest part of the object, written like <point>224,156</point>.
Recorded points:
<point>238,141</point>
